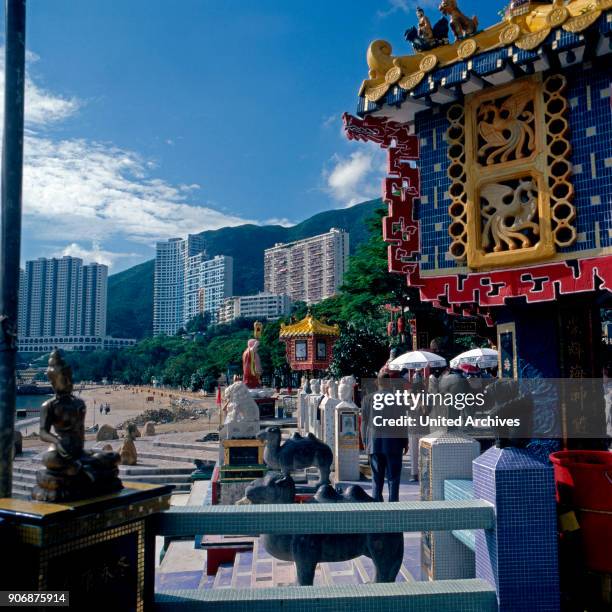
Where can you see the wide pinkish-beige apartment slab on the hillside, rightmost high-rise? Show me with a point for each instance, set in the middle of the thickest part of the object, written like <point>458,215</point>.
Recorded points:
<point>308,270</point>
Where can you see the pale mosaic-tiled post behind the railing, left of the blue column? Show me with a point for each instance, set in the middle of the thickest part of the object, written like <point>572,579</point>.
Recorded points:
<point>444,456</point>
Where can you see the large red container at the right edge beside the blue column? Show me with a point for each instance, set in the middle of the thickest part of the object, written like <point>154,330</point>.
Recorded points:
<point>584,483</point>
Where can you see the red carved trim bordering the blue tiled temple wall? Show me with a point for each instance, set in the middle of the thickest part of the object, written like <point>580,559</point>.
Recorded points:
<point>460,294</point>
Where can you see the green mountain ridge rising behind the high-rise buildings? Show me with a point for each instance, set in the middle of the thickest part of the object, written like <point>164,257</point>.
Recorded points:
<point>130,293</point>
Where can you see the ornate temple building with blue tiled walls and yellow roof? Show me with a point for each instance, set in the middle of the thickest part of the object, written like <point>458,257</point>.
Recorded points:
<point>500,178</point>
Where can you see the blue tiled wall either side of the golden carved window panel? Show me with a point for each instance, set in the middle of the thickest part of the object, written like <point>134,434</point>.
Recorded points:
<point>590,121</point>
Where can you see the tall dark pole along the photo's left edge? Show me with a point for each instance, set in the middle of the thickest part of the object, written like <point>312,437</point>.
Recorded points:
<point>10,236</point>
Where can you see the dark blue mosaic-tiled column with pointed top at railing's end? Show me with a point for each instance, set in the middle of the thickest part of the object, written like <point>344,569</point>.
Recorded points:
<point>518,556</point>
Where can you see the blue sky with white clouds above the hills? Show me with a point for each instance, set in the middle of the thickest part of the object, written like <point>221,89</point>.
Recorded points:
<point>148,119</point>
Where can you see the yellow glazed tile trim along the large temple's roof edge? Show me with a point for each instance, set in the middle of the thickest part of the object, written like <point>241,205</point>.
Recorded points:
<point>526,31</point>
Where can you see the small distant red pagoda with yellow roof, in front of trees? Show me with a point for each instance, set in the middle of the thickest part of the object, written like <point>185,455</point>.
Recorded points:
<point>309,344</point>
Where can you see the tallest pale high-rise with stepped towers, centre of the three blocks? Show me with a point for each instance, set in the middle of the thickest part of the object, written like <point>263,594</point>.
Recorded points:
<point>188,283</point>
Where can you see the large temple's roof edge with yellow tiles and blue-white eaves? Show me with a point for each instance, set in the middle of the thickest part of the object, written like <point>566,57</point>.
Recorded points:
<point>521,44</point>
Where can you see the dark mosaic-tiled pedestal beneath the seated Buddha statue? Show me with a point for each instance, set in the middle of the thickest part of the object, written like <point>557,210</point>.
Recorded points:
<point>101,550</point>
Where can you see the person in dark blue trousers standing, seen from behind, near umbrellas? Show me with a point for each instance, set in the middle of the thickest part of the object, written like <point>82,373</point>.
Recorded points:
<point>385,451</point>
